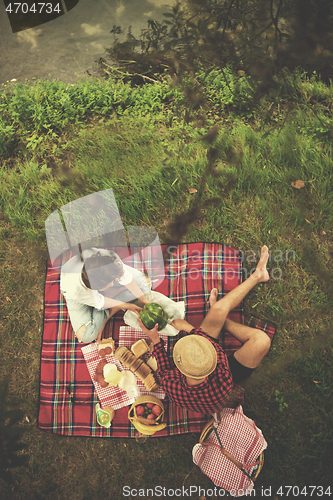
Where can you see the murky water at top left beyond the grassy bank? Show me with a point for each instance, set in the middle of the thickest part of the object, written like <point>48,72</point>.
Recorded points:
<point>67,47</point>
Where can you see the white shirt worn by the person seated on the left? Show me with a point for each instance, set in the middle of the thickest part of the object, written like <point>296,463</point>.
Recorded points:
<point>72,286</point>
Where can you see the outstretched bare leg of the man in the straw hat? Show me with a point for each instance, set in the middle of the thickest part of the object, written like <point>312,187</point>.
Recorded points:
<point>217,314</point>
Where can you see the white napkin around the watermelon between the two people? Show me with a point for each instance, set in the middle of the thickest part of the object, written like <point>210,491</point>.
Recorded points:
<point>173,309</point>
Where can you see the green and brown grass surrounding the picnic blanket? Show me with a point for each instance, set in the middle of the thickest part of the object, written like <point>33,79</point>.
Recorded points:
<point>150,157</point>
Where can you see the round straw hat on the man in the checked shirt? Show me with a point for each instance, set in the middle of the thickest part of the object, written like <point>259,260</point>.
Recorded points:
<point>195,356</point>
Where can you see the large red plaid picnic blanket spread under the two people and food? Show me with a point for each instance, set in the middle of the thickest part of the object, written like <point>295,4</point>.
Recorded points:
<point>67,393</point>
